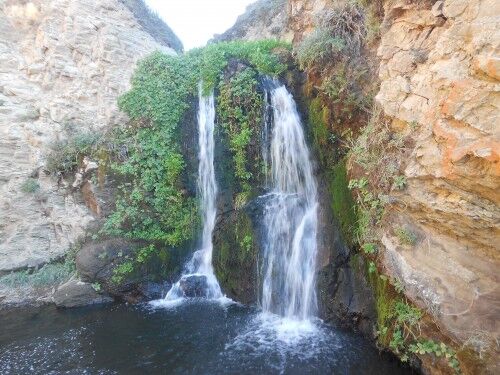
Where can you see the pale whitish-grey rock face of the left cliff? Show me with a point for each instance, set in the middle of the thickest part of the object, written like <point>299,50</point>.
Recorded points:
<point>63,64</point>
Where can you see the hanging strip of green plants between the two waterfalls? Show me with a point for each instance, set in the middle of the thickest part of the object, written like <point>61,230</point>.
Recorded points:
<point>239,109</point>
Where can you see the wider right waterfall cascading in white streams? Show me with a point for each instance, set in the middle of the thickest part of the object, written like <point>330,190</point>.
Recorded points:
<point>290,217</point>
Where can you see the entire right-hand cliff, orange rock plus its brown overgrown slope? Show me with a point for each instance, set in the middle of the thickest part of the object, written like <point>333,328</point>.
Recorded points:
<point>436,63</point>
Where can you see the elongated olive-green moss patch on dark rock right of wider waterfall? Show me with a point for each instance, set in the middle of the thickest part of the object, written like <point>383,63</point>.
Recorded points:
<point>343,205</point>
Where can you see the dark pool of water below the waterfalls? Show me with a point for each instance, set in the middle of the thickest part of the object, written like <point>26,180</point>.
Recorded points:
<point>196,337</point>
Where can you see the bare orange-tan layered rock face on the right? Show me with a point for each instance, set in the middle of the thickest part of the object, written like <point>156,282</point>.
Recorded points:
<point>439,72</point>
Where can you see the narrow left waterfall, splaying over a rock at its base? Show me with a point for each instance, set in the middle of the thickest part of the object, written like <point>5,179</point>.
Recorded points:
<point>199,279</point>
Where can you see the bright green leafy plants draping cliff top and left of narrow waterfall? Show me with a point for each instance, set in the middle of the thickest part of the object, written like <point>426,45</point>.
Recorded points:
<point>151,204</point>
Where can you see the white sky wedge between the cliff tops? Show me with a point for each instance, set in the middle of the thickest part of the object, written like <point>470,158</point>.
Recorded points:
<point>196,21</point>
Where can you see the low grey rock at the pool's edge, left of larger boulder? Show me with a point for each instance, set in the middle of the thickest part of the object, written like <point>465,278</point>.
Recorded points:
<point>76,293</point>
